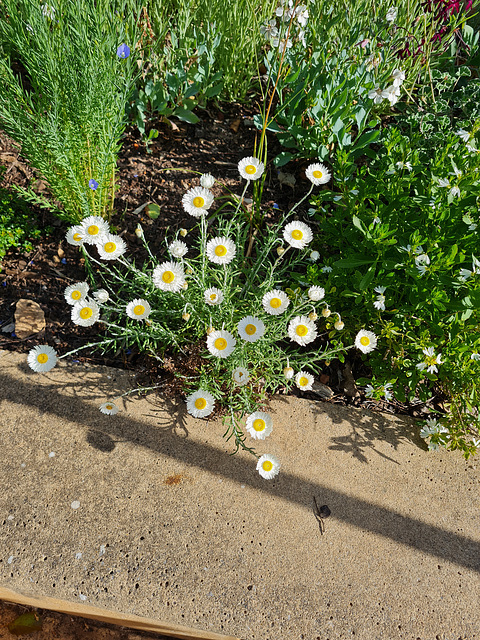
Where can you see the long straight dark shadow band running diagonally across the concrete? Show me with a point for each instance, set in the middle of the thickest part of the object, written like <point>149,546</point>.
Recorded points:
<point>103,432</point>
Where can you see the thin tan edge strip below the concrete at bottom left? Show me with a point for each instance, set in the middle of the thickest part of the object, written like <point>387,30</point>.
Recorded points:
<point>110,617</point>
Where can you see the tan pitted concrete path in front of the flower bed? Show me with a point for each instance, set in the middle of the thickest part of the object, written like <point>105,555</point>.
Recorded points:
<point>169,526</point>
